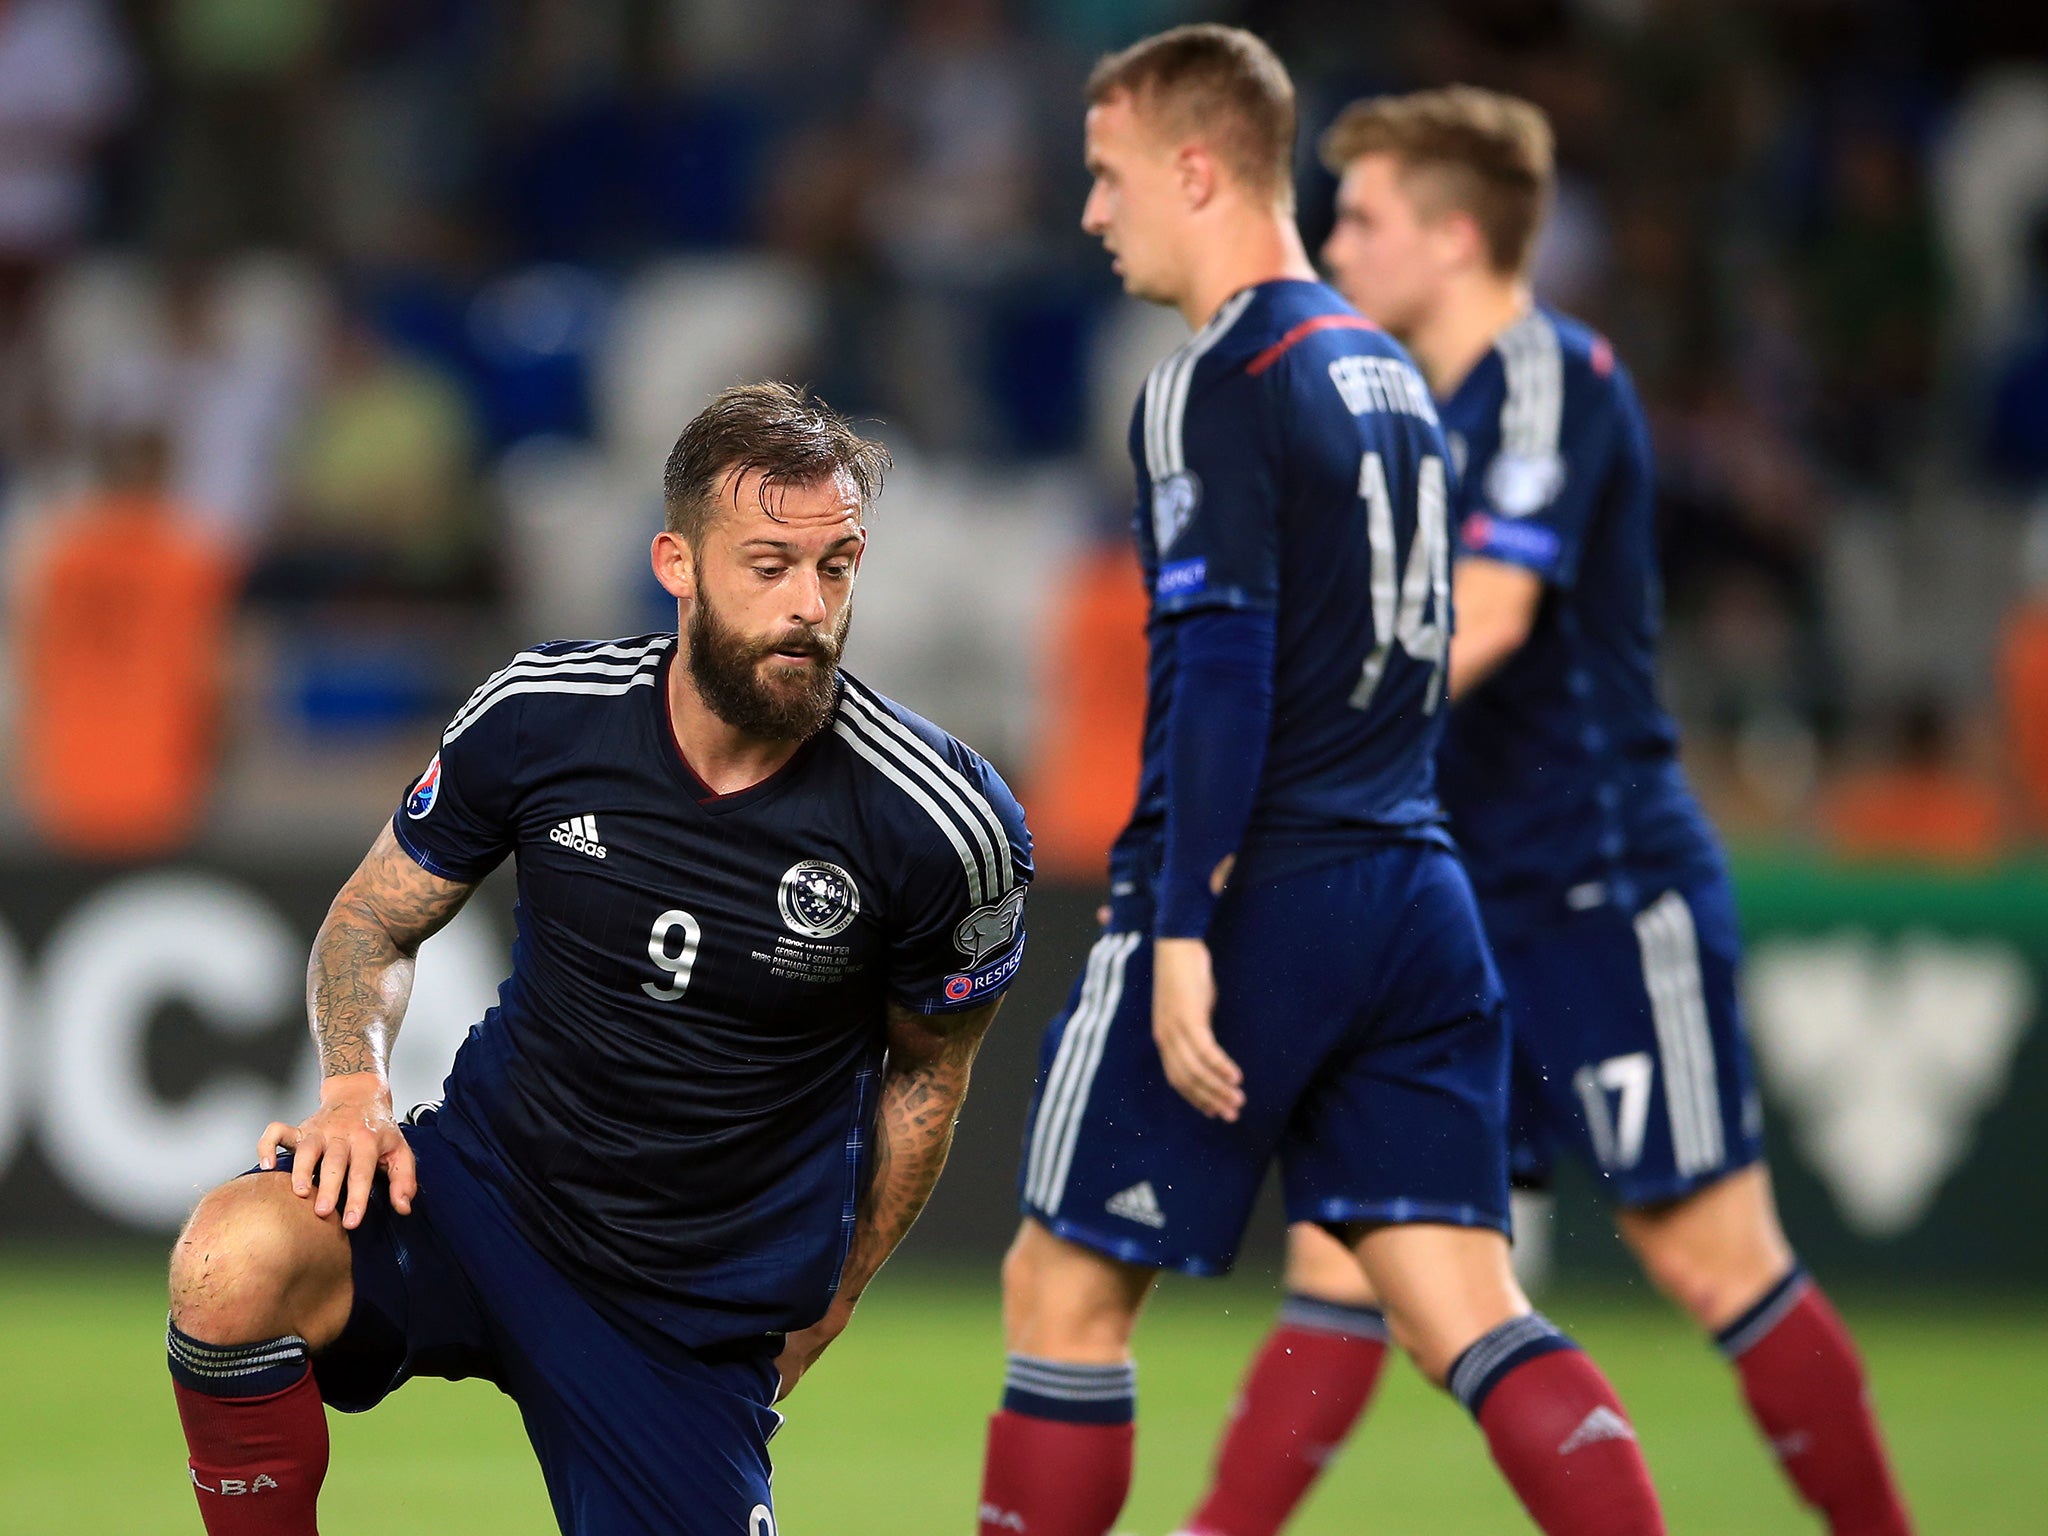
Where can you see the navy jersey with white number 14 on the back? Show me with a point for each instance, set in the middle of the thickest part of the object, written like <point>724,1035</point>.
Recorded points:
<point>1289,462</point>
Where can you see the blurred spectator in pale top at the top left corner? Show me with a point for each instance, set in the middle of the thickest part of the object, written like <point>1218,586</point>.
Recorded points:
<point>65,83</point>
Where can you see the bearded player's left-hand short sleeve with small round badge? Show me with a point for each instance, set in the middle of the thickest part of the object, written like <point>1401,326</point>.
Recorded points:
<point>456,818</point>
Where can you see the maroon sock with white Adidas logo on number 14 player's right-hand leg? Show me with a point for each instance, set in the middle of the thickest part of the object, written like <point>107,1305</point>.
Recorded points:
<point>1558,1433</point>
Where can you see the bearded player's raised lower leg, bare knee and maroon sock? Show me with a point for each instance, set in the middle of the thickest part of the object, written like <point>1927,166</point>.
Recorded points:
<point>257,1283</point>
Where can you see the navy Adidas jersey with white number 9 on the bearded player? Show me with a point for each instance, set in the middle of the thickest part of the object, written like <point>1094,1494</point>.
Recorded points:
<point>677,1091</point>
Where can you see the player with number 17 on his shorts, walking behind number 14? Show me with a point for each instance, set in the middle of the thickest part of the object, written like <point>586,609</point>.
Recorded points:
<point>1603,886</point>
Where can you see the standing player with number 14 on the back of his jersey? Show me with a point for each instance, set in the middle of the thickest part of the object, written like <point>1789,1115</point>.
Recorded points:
<point>1293,966</point>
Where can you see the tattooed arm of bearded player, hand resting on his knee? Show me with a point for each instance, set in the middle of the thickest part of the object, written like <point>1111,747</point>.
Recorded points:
<point>355,996</point>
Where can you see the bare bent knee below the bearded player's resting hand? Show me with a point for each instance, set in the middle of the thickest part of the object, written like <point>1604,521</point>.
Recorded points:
<point>243,1261</point>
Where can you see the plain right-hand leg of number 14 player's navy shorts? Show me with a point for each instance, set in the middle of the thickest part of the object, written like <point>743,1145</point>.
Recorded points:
<point>1408,1121</point>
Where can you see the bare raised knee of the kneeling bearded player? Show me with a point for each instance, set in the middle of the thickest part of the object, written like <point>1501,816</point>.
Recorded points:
<point>255,1263</point>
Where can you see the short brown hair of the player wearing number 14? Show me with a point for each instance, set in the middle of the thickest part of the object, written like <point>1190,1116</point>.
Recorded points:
<point>1220,85</point>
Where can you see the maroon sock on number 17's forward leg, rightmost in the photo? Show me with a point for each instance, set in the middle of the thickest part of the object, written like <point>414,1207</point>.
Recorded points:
<point>1807,1394</point>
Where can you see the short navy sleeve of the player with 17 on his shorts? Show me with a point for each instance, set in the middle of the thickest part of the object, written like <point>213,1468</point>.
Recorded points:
<point>1531,507</point>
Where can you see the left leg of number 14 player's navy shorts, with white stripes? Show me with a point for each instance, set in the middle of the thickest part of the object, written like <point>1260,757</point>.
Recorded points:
<point>1115,1158</point>
